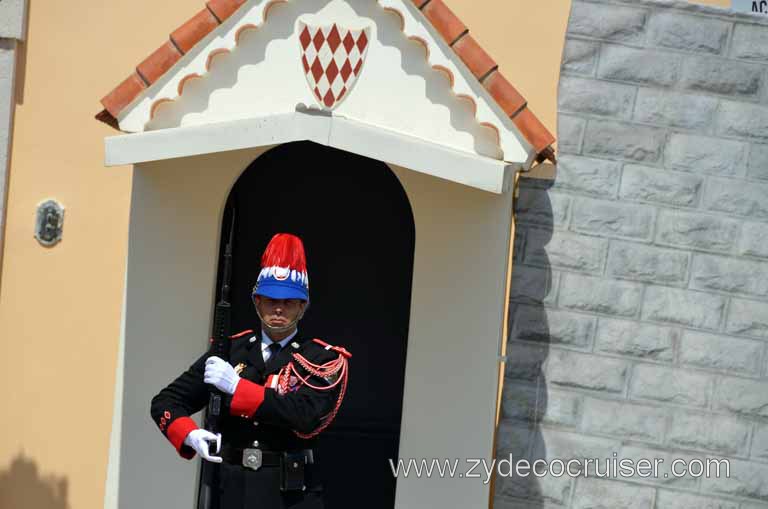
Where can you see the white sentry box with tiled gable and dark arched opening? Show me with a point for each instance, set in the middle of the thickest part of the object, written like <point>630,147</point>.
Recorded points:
<point>383,135</point>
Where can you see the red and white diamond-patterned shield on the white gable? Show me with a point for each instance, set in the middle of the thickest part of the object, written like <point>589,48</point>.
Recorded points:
<point>332,57</point>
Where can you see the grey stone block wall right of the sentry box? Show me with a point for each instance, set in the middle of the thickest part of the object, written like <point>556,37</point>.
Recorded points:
<point>639,323</point>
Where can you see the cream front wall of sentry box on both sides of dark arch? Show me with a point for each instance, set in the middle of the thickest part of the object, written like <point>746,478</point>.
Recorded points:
<point>460,257</point>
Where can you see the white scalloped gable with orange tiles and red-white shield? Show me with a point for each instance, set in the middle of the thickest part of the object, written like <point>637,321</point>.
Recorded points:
<point>395,65</point>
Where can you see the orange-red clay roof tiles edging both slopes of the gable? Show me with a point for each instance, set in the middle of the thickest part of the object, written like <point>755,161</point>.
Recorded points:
<point>450,27</point>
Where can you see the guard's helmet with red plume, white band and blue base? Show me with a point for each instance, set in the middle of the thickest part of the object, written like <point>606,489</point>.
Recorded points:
<point>283,269</point>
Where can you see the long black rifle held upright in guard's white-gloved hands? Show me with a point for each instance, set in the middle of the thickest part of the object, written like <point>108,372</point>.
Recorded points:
<point>221,345</point>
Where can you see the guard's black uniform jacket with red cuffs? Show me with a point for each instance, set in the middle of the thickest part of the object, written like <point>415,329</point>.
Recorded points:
<point>255,411</point>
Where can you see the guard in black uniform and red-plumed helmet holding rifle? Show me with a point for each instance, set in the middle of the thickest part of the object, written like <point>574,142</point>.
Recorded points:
<point>280,390</point>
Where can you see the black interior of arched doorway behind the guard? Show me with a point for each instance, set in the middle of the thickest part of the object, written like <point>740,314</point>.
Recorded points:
<point>357,226</point>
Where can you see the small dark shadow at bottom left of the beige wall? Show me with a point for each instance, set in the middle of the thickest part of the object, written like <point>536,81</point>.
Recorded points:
<point>23,486</point>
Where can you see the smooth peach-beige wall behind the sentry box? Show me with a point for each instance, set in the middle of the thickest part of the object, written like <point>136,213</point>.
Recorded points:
<point>60,307</point>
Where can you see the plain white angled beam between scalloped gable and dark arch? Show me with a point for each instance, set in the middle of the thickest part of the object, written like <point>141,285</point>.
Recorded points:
<point>370,141</point>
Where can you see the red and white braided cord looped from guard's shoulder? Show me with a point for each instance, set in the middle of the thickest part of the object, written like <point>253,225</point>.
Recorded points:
<point>338,366</point>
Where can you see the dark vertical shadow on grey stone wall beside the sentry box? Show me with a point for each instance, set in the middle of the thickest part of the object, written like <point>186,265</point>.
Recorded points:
<point>525,396</point>
